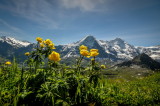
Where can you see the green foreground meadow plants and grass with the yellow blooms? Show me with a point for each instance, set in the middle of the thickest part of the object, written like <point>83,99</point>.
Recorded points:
<point>41,80</point>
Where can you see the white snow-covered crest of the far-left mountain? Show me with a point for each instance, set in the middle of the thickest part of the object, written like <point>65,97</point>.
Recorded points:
<point>14,42</point>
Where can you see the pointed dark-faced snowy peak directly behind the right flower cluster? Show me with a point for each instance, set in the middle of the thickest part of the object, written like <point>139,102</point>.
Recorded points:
<point>72,50</point>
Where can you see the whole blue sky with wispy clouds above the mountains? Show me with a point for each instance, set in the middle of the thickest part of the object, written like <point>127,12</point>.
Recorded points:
<point>67,21</point>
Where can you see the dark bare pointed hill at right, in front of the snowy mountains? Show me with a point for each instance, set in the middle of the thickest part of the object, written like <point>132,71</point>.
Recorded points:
<point>143,61</point>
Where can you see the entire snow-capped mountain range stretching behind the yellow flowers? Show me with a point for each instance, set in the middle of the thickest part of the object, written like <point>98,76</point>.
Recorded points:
<point>114,50</point>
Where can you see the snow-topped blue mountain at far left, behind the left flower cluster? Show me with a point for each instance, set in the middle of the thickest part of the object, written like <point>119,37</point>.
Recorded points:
<point>11,47</point>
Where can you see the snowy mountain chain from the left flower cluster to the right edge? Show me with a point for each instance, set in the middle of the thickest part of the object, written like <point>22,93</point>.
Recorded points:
<point>114,50</point>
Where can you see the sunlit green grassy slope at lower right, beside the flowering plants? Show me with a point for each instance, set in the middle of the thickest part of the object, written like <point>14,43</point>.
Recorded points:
<point>142,91</point>
